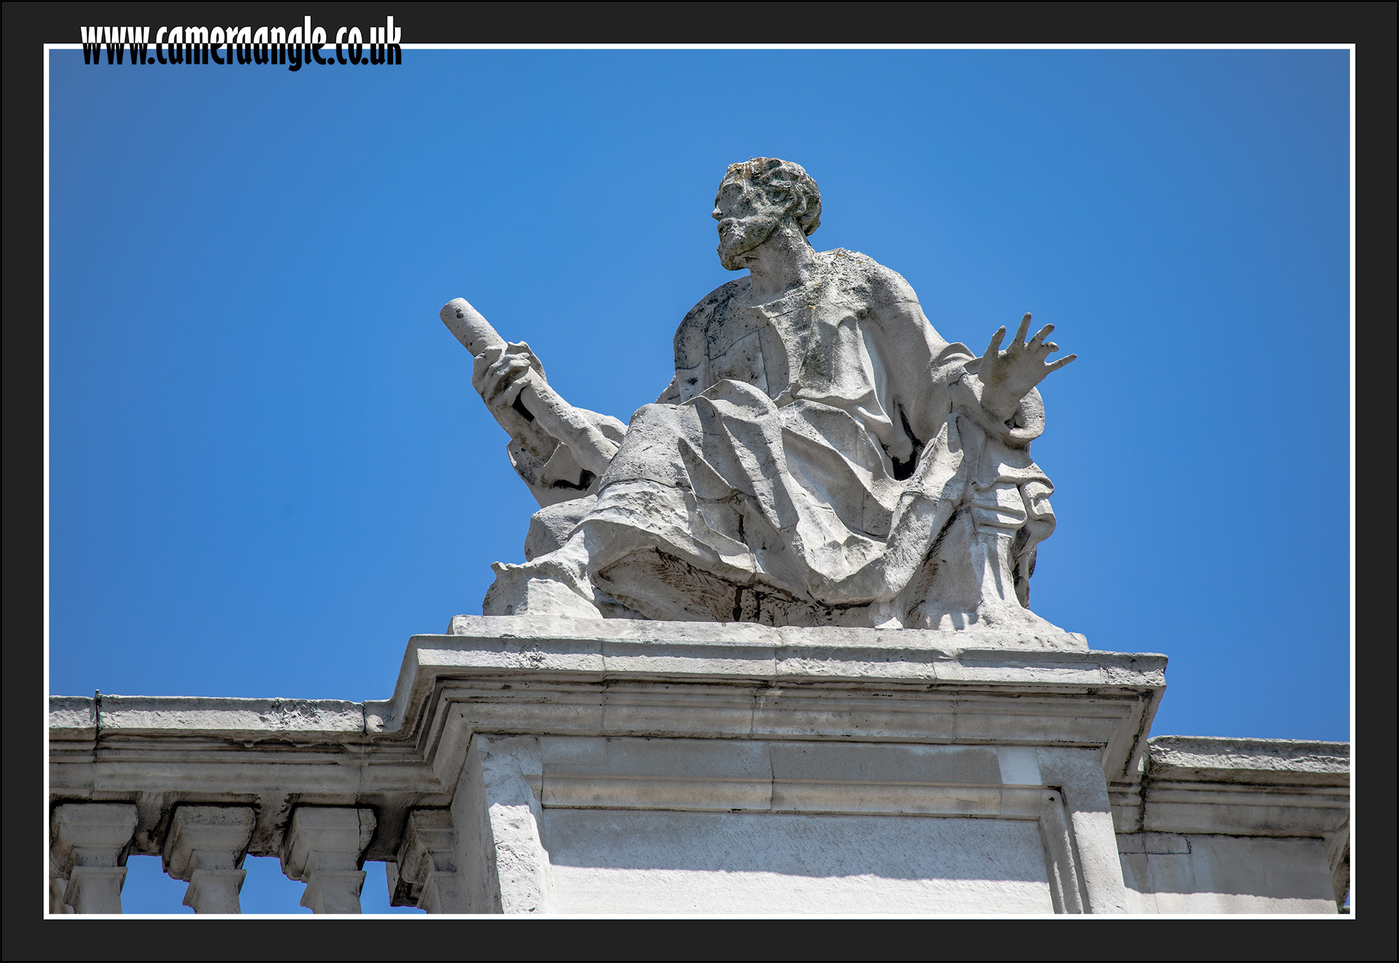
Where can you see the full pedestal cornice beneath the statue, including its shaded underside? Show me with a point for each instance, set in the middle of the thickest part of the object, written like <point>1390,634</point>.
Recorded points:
<point>881,706</point>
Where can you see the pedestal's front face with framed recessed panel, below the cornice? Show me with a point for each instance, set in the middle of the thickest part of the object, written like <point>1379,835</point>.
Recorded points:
<point>672,825</point>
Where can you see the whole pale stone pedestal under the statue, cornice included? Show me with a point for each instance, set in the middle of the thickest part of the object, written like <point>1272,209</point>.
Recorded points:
<point>675,768</point>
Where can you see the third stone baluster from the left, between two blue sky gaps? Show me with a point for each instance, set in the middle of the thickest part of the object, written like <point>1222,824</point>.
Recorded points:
<point>324,849</point>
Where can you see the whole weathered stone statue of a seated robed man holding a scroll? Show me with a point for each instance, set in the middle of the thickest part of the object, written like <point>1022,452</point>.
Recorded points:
<point>822,457</point>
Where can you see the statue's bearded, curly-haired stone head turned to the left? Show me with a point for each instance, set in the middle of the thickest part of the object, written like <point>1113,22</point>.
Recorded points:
<point>753,201</point>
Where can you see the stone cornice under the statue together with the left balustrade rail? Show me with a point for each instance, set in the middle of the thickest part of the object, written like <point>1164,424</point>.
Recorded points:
<point>727,681</point>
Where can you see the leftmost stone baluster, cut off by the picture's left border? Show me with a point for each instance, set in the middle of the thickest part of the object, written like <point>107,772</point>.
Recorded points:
<point>89,846</point>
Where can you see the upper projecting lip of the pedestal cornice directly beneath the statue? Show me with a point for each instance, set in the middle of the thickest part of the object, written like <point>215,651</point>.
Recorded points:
<point>746,654</point>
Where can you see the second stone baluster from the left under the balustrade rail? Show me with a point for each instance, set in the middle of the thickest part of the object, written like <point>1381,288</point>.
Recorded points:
<point>206,848</point>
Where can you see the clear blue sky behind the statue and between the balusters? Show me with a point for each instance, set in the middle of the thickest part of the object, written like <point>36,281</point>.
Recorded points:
<point>268,467</point>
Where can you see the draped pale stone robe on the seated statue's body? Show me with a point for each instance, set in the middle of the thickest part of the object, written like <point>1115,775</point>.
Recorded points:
<point>807,458</point>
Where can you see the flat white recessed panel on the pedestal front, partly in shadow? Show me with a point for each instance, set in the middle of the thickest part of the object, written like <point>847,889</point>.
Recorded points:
<point>620,863</point>
